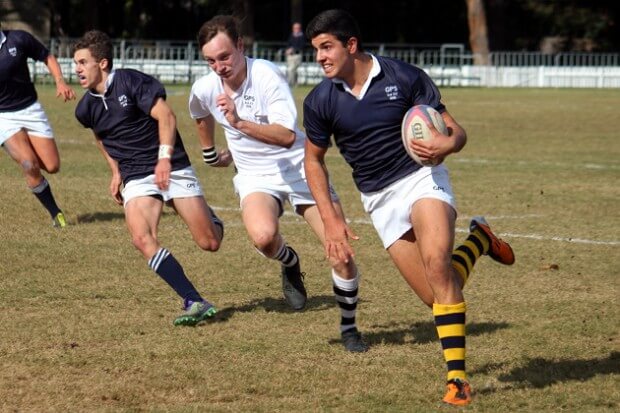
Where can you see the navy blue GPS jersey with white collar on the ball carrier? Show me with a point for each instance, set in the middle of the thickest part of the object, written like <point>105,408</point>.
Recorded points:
<point>367,131</point>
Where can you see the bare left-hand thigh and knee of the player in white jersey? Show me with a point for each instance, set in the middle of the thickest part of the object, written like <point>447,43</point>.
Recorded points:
<point>260,212</point>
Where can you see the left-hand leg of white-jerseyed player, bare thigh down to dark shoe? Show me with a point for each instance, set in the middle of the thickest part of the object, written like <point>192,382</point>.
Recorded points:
<point>260,212</point>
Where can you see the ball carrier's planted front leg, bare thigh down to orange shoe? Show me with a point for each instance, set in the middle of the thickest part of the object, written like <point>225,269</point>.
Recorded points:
<point>433,224</point>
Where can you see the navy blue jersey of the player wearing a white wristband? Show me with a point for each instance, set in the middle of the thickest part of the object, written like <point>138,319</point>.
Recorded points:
<point>121,119</point>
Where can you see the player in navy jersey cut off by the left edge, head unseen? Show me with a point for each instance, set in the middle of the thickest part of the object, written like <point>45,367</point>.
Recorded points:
<point>25,131</point>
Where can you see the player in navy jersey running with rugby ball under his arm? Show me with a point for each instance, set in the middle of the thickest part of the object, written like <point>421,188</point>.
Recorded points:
<point>411,206</point>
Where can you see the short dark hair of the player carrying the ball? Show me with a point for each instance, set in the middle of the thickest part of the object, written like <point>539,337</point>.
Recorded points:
<point>335,22</point>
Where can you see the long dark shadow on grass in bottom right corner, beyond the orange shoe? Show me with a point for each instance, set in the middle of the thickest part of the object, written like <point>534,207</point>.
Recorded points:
<point>540,372</point>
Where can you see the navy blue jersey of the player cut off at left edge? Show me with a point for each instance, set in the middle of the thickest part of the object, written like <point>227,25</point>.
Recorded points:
<point>16,90</point>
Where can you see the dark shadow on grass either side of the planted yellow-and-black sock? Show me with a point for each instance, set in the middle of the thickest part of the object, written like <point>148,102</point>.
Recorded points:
<point>424,332</point>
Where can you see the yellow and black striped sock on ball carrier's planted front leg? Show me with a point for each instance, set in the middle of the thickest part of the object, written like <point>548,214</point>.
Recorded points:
<point>450,323</point>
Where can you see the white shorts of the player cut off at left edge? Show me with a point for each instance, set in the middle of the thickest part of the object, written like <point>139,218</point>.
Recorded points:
<point>32,119</point>
